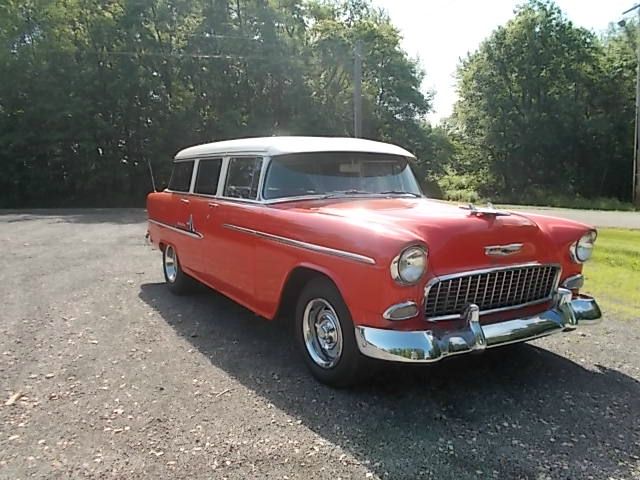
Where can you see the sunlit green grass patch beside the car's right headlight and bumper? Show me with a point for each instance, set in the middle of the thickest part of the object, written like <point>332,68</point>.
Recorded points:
<point>613,274</point>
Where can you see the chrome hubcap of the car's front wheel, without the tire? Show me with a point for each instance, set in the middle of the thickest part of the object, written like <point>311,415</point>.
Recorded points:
<point>322,333</point>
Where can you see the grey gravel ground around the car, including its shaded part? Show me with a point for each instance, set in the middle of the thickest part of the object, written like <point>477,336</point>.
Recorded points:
<point>105,374</point>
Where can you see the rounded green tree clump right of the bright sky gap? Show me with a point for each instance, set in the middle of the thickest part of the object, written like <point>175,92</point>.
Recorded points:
<point>547,106</point>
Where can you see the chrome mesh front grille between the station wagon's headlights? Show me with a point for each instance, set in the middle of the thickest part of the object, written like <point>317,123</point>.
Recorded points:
<point>491,290</point>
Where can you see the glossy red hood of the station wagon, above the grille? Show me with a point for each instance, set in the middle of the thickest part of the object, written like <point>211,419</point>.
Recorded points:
<point>456,238</point>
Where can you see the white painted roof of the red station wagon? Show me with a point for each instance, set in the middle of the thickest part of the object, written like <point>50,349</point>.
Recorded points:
<point>270,146</point>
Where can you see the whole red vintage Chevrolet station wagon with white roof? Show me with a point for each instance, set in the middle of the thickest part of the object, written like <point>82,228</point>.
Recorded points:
<point>336,234</point>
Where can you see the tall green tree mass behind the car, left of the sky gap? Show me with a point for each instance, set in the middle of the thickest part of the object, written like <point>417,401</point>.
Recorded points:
<point>94,91</point>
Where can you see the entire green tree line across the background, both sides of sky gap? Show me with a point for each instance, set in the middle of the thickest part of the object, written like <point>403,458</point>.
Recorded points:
<point>94,91</point>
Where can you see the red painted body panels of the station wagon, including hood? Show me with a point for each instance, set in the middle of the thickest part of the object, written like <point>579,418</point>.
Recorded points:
<point>254,270</point>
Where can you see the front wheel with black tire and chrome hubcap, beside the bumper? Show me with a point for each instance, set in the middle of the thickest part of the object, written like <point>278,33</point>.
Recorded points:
<point>326,336</point>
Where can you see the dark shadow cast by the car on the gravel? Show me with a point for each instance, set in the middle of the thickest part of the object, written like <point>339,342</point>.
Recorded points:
<point>520,412</point>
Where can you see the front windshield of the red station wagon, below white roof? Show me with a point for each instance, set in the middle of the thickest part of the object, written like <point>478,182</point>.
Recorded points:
<point>339,173</point>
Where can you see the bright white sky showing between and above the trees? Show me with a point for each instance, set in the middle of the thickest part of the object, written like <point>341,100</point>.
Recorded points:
<point>440,32</point>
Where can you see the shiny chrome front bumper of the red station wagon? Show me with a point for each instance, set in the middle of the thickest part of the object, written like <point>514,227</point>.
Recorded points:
<point>424,346</point>
